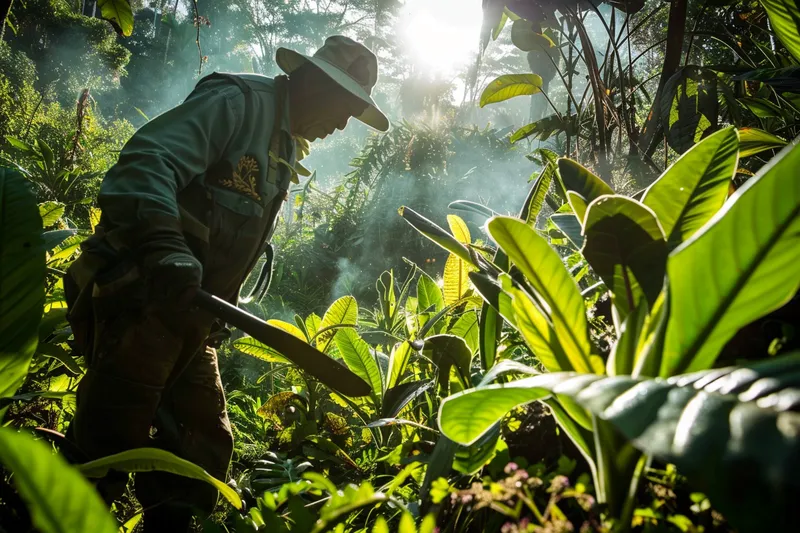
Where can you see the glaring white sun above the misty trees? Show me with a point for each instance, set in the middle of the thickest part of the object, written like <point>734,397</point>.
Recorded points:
<point>441,35</point>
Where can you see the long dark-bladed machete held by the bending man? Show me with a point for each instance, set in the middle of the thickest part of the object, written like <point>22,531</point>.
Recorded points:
<point>306,357</point>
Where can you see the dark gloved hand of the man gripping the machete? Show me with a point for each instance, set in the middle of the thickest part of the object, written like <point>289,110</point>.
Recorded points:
<point>173,275</point>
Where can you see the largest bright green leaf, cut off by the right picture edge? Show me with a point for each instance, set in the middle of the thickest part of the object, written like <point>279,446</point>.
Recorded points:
<point>739,267</point>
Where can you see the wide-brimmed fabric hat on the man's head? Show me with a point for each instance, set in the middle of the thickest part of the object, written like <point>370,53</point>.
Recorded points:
<point>350,64</point>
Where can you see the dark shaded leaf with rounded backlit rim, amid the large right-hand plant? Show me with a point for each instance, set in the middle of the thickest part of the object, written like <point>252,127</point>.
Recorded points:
<point>625,246</point>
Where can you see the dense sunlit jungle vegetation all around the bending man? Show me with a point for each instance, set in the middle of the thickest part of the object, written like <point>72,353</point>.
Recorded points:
<point>609,344</point>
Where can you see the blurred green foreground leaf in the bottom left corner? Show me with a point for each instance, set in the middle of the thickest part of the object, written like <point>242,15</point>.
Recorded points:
<point>59,499</point>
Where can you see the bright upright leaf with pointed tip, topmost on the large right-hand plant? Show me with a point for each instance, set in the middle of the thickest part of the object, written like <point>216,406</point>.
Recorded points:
<point>688,194</point>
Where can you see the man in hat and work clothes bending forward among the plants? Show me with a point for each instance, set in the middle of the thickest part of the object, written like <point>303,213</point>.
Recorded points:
<point>192,202</point>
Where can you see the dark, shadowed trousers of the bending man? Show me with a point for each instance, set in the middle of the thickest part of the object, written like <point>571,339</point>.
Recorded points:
<point>153,381</point>
